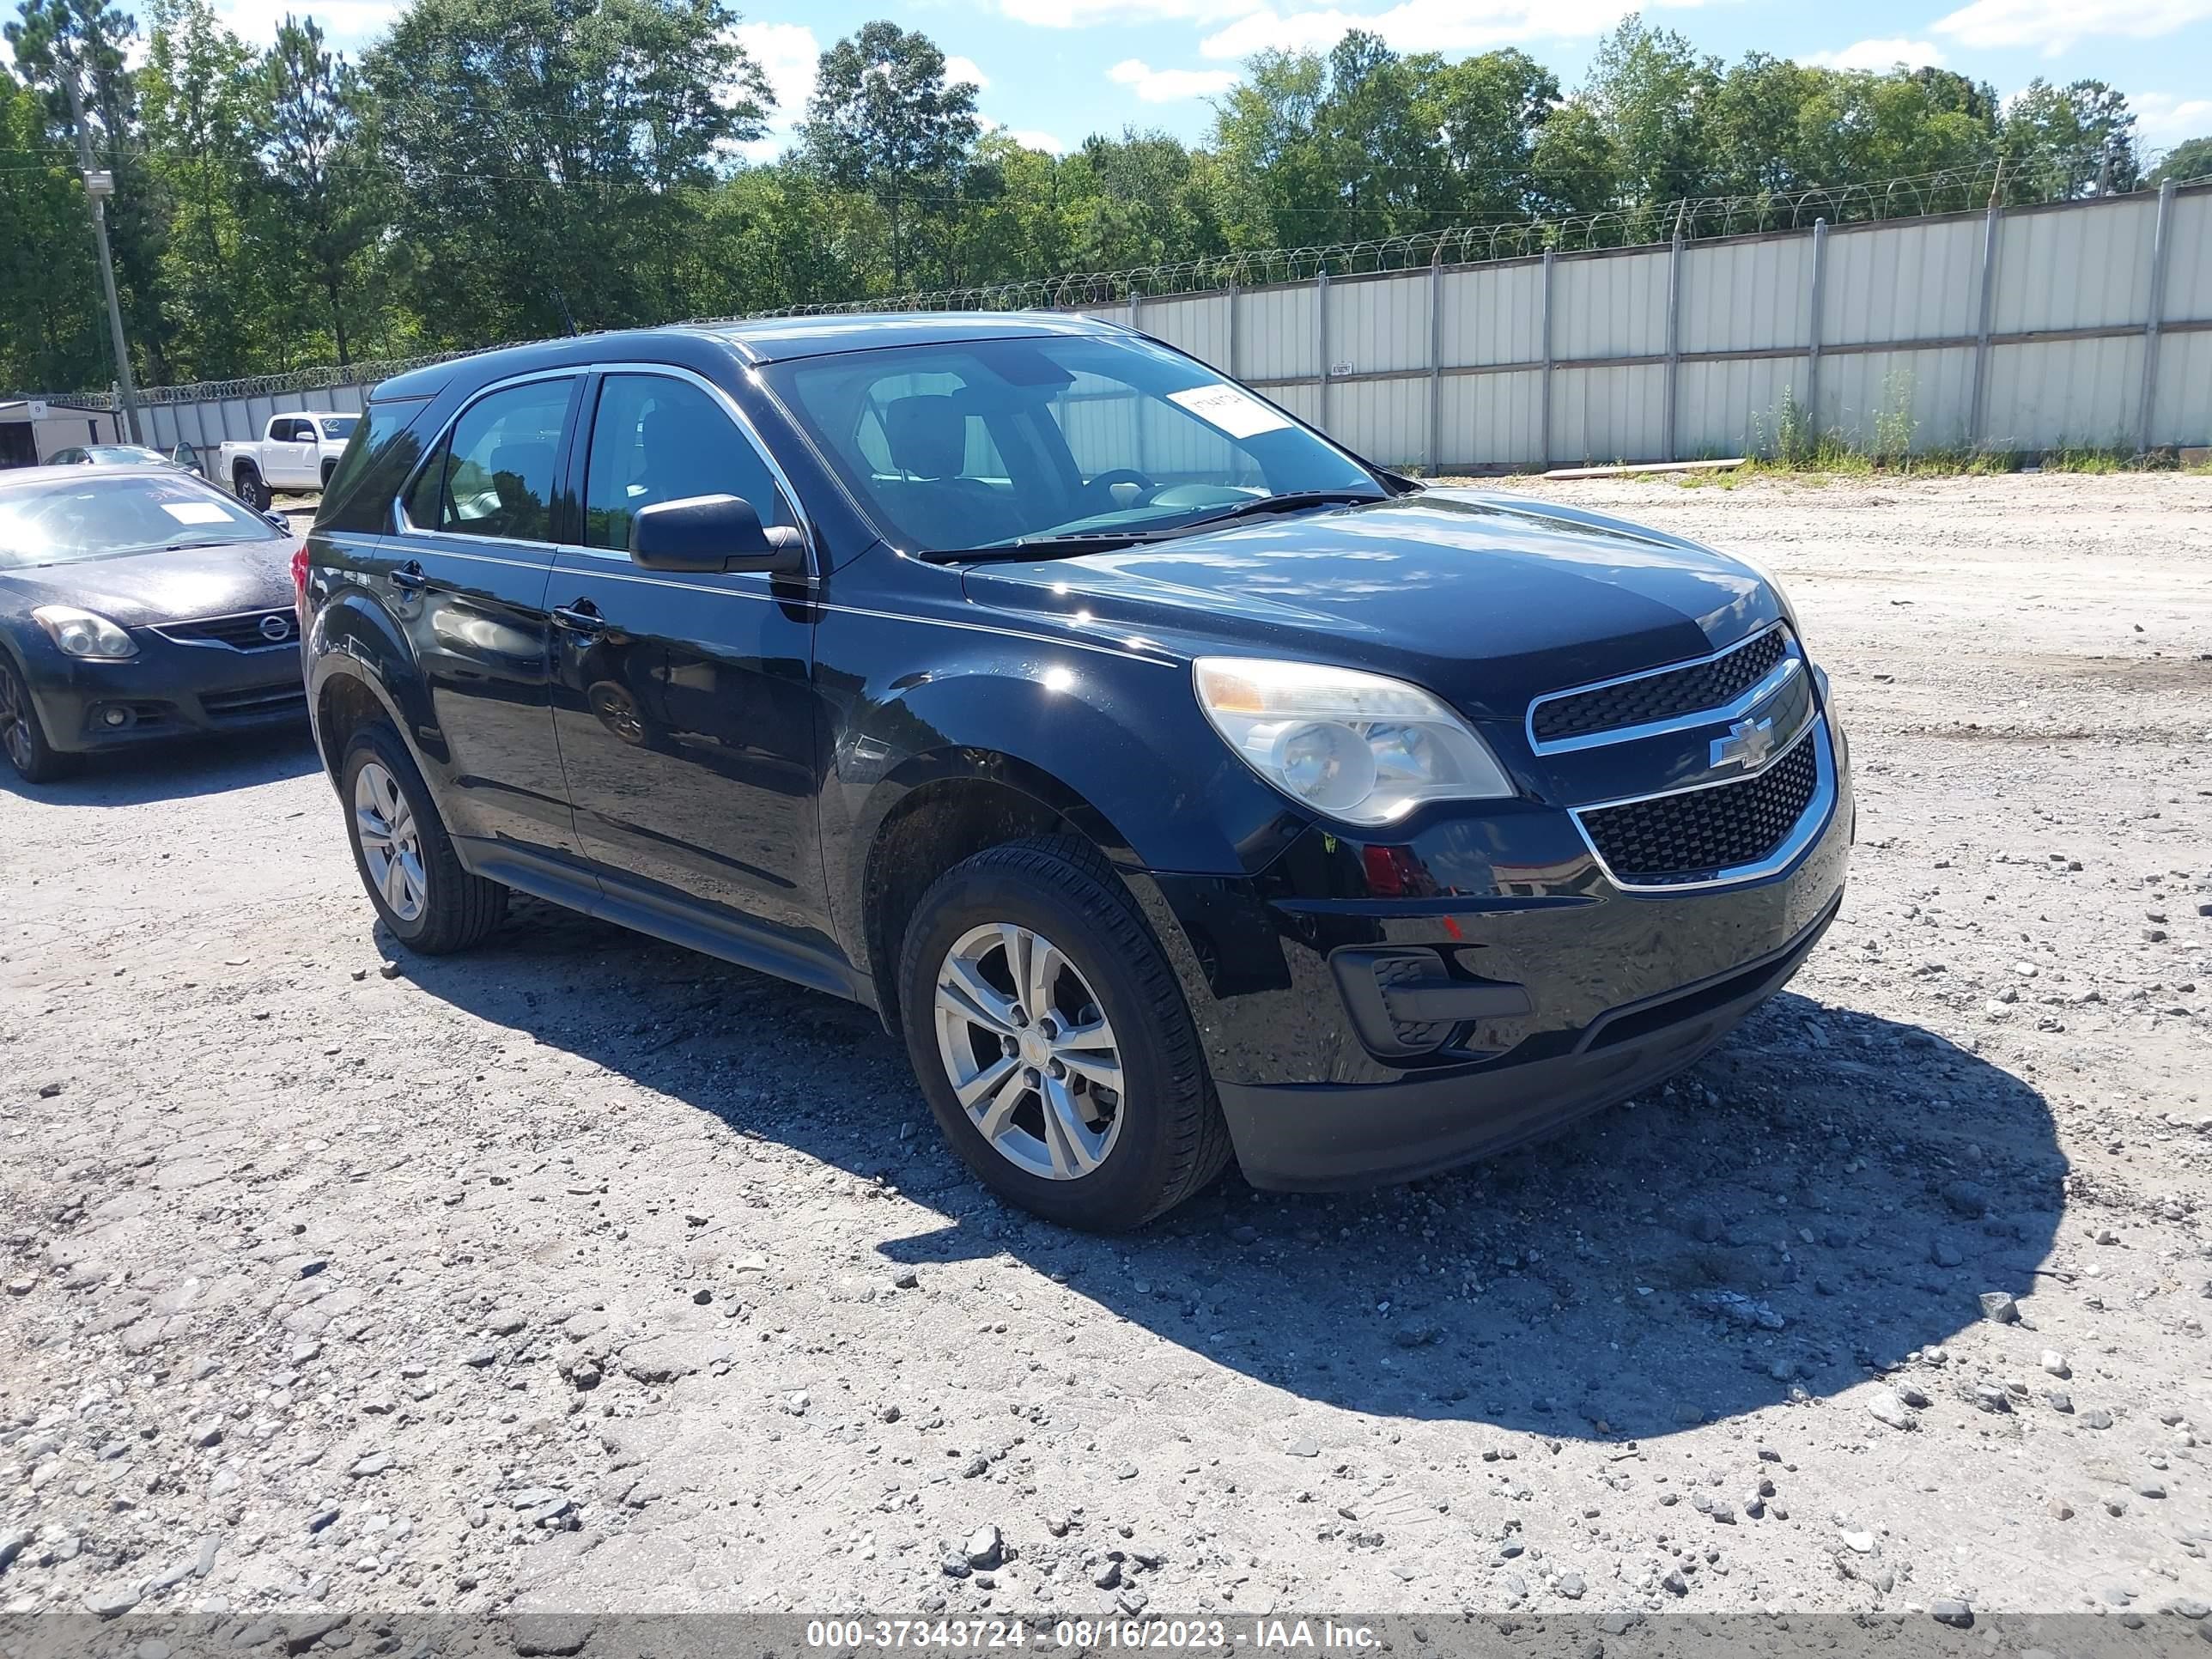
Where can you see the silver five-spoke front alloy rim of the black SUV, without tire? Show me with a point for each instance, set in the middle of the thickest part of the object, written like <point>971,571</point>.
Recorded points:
<point>1030,1052</point>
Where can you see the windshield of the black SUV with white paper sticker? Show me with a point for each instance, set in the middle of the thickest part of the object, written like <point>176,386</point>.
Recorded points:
<point>992,444</point>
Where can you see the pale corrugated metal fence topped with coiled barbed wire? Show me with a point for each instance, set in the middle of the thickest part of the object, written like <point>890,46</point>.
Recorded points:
<point>2083,324</point>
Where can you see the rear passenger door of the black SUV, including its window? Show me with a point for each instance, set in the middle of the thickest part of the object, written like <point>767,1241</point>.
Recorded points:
<point>468,581</point>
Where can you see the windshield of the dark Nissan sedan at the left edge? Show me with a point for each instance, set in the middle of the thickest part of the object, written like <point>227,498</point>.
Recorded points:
<point>103,519</point>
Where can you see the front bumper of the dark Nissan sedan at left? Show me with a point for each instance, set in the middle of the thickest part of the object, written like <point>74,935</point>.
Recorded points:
<point>165,691</point>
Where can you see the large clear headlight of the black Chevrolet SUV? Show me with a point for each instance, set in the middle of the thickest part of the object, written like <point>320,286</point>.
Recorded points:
<point>1355,747</point>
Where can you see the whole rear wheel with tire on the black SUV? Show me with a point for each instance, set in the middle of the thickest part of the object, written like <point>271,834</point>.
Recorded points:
<point>432,906</point>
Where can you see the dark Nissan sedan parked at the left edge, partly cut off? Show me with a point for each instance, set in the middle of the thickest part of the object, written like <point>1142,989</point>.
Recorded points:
<point>138,603</point>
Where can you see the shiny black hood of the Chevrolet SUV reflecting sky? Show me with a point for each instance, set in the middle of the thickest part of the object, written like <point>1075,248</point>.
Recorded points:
<point>1488,601</point>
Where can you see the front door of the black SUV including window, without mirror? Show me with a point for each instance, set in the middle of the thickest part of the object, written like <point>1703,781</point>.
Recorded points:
<point>685,702</point>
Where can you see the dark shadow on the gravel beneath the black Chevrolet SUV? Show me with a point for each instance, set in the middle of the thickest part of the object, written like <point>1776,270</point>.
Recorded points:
<point>1815,1200</point>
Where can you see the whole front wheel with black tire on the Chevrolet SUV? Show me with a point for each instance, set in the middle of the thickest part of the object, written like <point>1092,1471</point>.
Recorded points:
<point>1134,1149</point>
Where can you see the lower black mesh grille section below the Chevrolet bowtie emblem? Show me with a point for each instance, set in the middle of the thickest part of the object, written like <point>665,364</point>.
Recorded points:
<point>1702,835</point>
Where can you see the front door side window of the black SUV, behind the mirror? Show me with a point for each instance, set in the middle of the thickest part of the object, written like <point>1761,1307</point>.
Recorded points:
<point>658,439</point>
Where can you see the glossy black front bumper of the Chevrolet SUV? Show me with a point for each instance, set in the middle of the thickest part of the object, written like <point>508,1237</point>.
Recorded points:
<point>1561,990</point>
